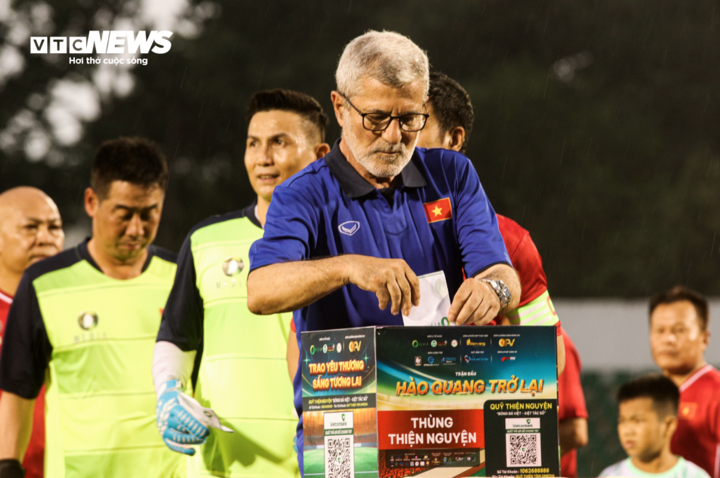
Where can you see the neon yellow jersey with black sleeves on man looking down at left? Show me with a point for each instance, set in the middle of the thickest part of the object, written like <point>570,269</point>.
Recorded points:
<point>90,338</point>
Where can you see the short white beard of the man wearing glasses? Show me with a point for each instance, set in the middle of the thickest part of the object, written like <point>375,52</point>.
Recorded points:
<point>385,166</point>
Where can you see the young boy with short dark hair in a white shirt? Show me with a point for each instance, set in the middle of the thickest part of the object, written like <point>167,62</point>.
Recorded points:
<point>646,422</point>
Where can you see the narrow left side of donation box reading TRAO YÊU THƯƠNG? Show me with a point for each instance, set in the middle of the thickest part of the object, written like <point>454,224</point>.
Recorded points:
<point>339,400</point>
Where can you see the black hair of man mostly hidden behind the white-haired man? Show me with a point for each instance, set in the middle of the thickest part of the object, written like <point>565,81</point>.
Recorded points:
<point>451,105</point>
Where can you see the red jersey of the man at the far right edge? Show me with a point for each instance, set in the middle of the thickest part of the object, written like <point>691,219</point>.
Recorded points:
<point>697,438</point>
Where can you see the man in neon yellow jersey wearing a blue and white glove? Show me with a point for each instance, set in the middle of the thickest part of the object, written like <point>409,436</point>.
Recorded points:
<point>242,375</point>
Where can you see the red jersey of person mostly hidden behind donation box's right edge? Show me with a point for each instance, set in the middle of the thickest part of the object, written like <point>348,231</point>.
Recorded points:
<point>571,400</point>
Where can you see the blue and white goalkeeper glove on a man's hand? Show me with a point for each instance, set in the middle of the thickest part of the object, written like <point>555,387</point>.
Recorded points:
<point>181,420</point>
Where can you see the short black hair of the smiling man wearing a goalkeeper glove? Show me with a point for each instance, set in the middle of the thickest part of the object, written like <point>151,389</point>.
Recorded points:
<point>288,100</point>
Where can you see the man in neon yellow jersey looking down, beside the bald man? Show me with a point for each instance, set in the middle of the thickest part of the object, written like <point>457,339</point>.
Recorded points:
<point>84,321</point>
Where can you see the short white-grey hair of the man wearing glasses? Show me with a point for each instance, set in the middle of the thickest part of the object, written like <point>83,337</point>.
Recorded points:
<point>389,57</point>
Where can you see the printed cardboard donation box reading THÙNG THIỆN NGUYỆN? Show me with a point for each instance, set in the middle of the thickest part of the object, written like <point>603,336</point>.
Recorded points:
<point>430,401</point>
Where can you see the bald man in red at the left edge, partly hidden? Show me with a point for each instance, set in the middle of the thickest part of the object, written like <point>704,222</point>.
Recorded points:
<point>30,230</point>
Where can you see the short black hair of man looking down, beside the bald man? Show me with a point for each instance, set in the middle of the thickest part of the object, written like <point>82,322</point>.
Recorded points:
<point>135,160</point>
